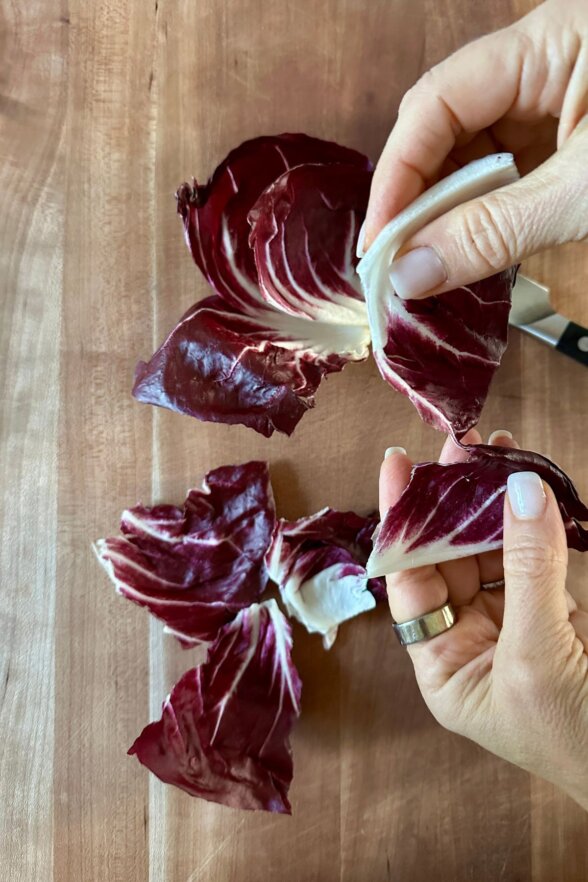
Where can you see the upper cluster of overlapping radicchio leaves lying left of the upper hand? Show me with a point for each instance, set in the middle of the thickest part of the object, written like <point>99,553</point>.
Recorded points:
<point>245,356</point>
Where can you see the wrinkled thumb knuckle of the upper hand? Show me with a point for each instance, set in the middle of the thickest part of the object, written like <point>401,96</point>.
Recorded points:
<point>489,235</point>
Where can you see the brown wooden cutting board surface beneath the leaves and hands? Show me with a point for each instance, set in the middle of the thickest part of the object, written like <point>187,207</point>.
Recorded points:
<point>105,107</point>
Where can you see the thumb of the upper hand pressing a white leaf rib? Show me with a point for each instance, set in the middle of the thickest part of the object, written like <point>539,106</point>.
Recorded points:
<point>485,236</point>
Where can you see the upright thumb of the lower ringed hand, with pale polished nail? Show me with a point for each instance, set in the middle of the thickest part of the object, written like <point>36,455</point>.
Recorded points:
<point>535,566</point>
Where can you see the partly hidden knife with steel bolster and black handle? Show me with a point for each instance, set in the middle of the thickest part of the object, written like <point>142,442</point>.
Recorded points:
<point>532,313</point>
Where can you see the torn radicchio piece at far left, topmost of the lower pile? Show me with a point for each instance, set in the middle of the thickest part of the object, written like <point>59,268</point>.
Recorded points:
<point>196,567</point>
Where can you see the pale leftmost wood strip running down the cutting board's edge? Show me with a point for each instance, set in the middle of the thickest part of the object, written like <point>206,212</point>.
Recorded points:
<point>32,101</point>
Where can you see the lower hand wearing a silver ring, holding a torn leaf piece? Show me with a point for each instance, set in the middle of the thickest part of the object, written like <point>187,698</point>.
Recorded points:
<point>512,673</point>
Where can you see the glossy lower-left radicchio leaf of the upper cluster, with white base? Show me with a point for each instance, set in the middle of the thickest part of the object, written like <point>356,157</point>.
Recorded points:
<point>263,371</point>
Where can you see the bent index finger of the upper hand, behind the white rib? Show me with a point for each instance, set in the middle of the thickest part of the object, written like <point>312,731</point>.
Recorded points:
<point>467,92</point>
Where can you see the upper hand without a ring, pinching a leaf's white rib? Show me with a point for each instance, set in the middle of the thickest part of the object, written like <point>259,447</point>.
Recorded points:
<point>523,90</point>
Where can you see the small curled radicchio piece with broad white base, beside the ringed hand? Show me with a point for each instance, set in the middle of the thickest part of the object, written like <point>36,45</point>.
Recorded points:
<point>319,564</point>
